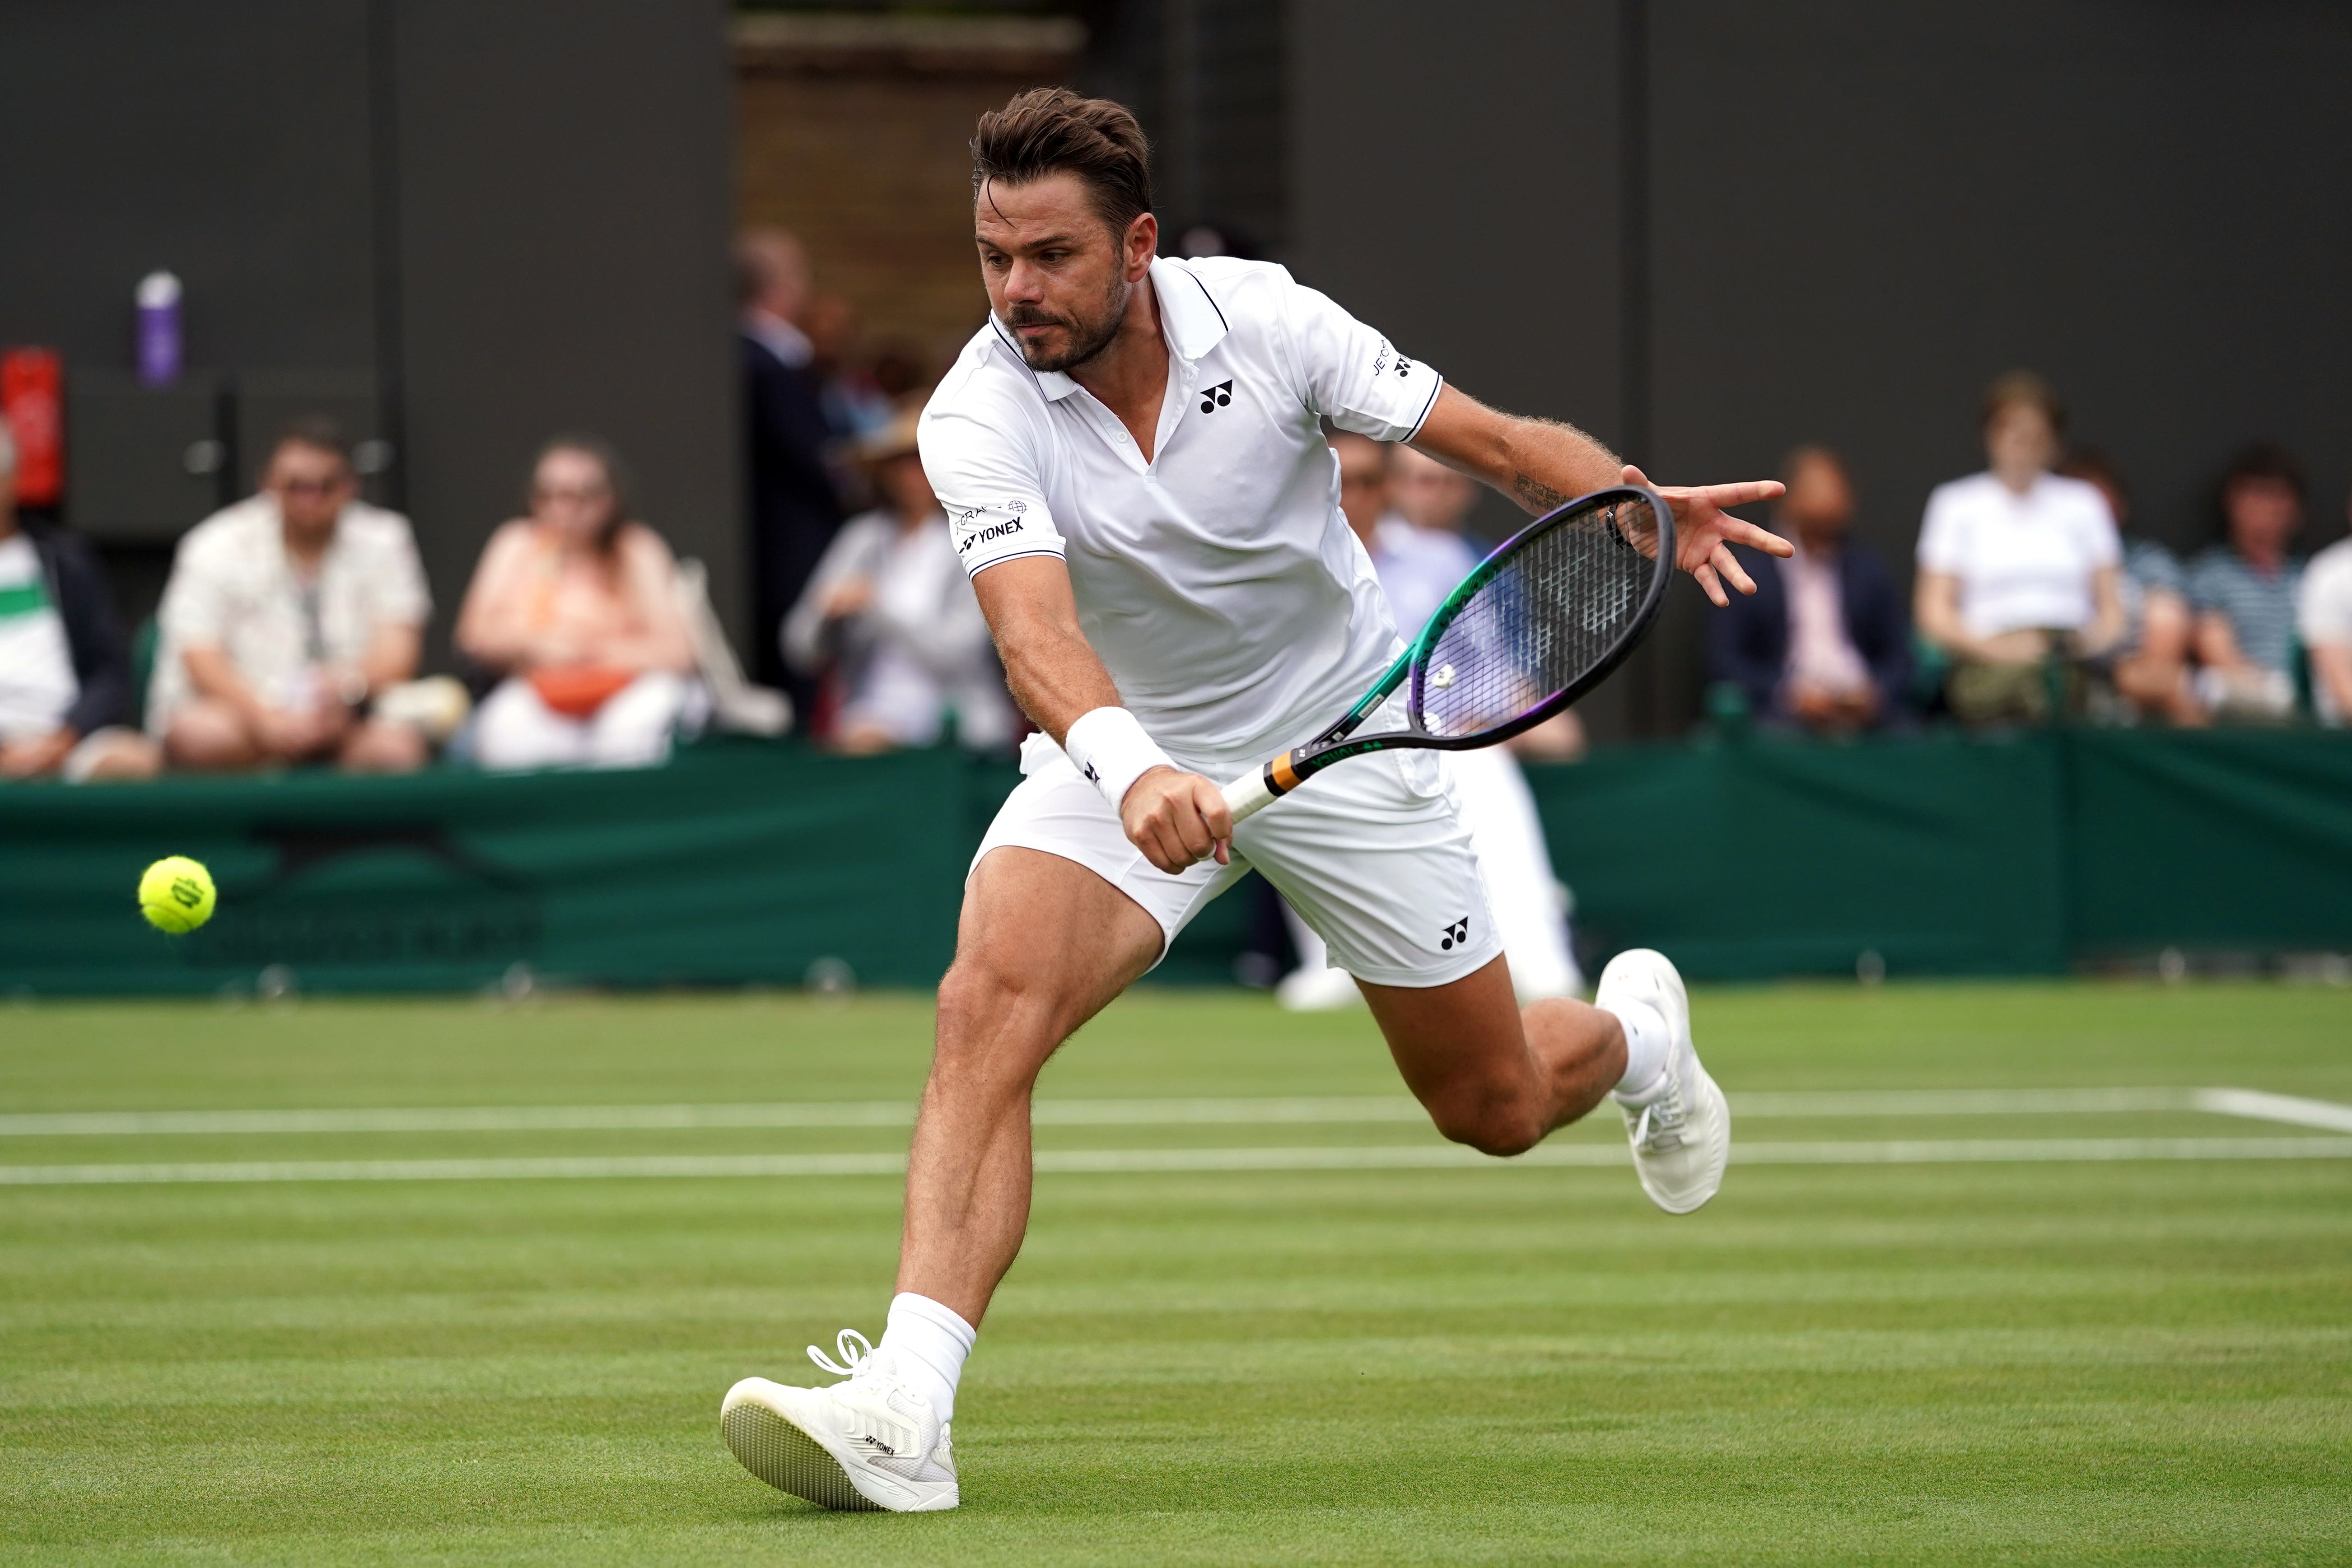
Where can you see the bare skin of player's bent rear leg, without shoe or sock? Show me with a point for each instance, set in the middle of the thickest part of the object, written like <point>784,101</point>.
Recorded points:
<point>1490,1073</point>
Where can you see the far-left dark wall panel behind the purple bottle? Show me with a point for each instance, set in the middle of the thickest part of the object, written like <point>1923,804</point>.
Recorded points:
<point>227,142</point>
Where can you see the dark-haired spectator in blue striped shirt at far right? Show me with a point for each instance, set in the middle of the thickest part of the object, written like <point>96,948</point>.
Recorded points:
<point>2245,589</point>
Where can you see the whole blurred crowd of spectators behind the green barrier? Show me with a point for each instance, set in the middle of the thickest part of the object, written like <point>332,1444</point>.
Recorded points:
<point>293,624</point>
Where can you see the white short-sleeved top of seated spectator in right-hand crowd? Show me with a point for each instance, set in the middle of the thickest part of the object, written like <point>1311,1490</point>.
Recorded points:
<point>2024,563</point>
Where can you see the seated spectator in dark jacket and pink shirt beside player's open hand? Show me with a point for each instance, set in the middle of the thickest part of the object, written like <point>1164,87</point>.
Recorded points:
<point>1824,641</point>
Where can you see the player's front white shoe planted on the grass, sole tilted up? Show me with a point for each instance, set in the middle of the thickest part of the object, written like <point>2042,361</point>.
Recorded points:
<point>869,1442</point>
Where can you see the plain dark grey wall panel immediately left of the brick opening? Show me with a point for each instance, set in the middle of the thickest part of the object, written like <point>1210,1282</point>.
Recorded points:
<point>566,210</point>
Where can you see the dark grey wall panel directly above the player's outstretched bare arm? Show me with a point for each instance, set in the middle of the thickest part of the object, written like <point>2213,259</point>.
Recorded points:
<point>1457,182</point>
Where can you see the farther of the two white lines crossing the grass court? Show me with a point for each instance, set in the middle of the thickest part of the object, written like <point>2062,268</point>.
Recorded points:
<point>1140,1113</point>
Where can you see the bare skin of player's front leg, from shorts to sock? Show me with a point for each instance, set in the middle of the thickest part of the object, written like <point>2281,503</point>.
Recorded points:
<point>1043,949</point>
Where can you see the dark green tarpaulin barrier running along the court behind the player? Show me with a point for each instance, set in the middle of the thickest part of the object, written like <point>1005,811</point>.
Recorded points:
<point>749,864</point>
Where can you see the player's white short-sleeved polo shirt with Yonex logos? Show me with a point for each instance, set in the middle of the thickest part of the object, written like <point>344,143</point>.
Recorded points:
<point>1220,582</point>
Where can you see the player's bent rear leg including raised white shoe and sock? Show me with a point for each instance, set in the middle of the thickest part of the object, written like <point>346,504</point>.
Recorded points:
<point>1499,1078</point>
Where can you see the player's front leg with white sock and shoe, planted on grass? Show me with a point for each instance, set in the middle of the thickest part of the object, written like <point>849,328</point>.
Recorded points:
<point>1041,949</point>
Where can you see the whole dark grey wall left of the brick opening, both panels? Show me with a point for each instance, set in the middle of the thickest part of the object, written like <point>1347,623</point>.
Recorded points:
<point>512,215</point>
